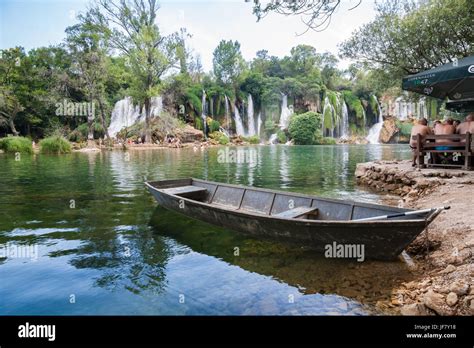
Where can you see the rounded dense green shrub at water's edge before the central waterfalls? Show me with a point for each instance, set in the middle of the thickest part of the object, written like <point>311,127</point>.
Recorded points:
<point>303,128</point>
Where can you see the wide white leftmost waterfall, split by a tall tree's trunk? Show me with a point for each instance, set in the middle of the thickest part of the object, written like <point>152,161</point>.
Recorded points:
<point>125,114</point>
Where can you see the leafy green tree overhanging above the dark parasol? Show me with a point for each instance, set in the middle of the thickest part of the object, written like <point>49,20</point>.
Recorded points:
<point>406,38</point>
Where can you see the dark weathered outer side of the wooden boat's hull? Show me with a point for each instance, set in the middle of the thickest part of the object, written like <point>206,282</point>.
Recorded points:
<point>380,239</point>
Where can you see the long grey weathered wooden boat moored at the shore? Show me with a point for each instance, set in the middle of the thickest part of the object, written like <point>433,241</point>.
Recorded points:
<point>310,221</point>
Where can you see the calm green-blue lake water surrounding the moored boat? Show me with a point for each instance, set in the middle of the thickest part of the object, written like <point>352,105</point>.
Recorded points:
<point>95,242</point>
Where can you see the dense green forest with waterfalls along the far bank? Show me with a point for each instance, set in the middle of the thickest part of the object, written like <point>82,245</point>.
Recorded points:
<point>116,49</point>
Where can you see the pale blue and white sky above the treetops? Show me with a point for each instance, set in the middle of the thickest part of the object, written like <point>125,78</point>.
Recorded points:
<point>36,23</point>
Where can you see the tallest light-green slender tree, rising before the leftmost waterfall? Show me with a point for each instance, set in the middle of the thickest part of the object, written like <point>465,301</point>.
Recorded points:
<point>130,27</point>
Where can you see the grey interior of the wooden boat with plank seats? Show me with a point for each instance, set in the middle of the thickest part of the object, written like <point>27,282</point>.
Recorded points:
<point>275,203</point>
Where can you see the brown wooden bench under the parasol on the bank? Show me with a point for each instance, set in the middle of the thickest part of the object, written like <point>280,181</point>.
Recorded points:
<point>459,145</point>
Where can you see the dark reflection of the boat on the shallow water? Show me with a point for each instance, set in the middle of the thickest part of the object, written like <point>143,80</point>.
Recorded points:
<point>366,282</point>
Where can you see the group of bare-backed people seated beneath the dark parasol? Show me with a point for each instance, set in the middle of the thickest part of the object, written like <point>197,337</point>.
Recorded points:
<point>447,127</point>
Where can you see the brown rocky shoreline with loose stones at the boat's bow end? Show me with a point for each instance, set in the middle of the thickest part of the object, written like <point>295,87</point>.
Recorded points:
<point>443,255</point>
